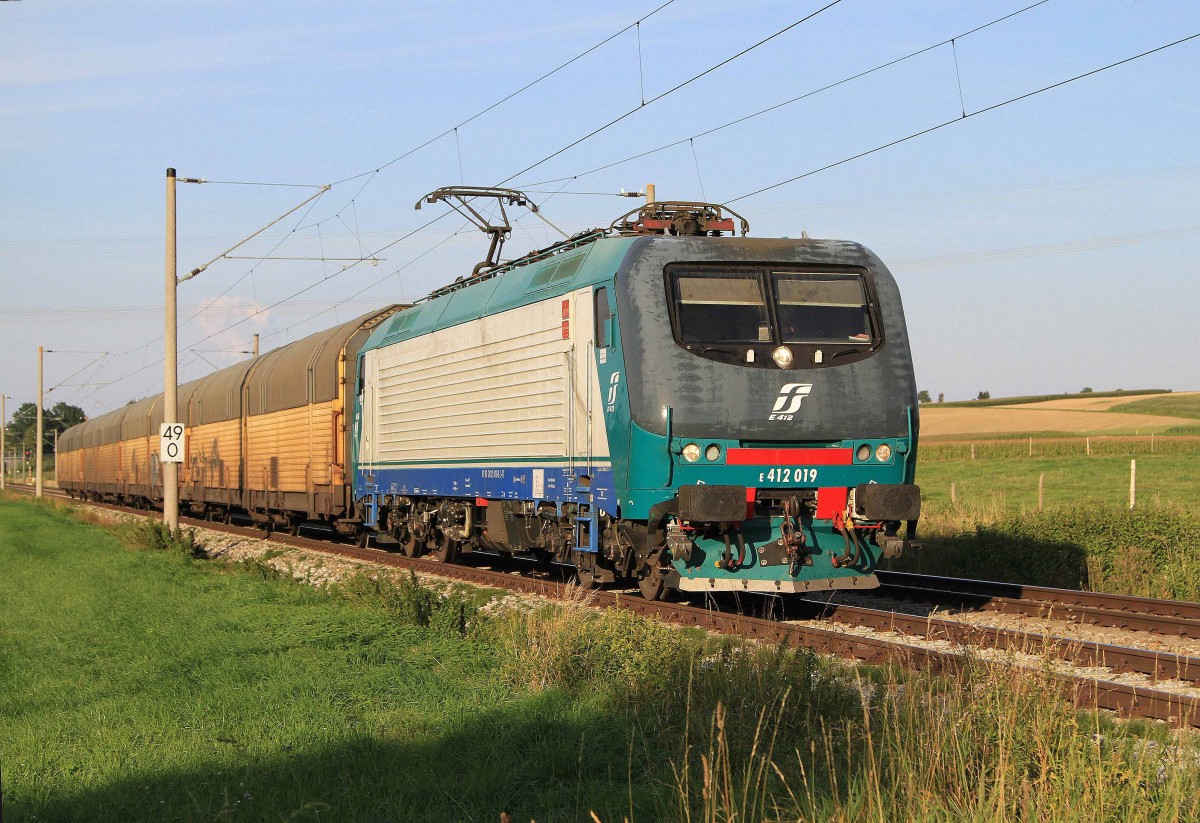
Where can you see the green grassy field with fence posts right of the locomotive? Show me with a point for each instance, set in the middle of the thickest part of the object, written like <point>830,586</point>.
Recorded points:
<point>1087,537</point>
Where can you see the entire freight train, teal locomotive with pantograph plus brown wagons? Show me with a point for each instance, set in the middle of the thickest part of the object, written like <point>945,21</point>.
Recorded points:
<point>663,401</point>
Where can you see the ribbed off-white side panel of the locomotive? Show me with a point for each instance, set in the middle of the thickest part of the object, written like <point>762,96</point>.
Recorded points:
<point>505,387</point>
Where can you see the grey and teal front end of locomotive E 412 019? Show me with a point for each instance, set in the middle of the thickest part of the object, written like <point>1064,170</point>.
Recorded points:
<point>772,412</point>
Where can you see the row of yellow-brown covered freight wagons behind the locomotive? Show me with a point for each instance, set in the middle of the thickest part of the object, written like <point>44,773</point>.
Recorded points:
<point>269,437</point>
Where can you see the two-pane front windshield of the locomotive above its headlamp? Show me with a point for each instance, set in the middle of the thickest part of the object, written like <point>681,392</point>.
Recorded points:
<point>759,305</point>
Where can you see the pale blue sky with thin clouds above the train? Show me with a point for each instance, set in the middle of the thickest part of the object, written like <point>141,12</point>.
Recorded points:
<point>1041,247</point>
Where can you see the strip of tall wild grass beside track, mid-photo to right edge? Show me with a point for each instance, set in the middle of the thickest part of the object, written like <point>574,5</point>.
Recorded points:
<point>763,734</point>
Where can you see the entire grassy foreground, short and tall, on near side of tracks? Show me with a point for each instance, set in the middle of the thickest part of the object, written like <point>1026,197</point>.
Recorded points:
<point>151,686</point>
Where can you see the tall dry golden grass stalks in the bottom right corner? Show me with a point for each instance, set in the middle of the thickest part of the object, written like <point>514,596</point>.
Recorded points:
<point>991,749</point>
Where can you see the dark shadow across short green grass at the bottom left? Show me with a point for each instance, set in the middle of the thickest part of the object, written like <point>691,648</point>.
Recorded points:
<point>541,759</point>
